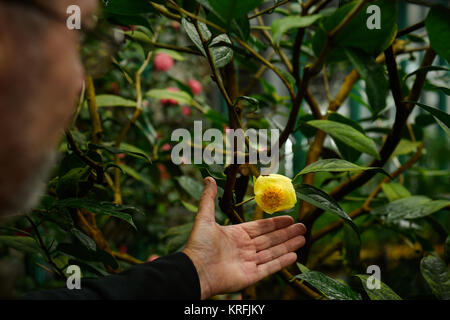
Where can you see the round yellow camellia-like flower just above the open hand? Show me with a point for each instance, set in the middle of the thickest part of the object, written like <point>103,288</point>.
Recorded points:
<point>274,193</point>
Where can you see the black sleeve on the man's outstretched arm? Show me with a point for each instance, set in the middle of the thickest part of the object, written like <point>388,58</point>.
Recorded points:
<point>170,277</point>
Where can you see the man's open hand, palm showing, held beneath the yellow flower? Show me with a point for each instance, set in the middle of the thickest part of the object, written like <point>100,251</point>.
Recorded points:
<point>230,258</point>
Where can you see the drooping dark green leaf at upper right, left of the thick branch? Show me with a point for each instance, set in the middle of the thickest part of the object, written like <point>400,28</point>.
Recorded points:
<point>373,74</point>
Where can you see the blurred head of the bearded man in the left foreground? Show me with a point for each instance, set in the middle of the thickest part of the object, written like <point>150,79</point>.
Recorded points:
<point>40,80</point>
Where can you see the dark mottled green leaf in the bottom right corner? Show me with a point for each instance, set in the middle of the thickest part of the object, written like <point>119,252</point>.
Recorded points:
<point>437,275</point>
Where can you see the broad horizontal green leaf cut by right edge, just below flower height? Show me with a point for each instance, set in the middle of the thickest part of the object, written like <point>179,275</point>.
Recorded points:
<point>410,208</point>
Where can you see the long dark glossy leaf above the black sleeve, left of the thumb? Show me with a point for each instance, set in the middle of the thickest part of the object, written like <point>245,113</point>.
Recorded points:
<point>99,207</point>
